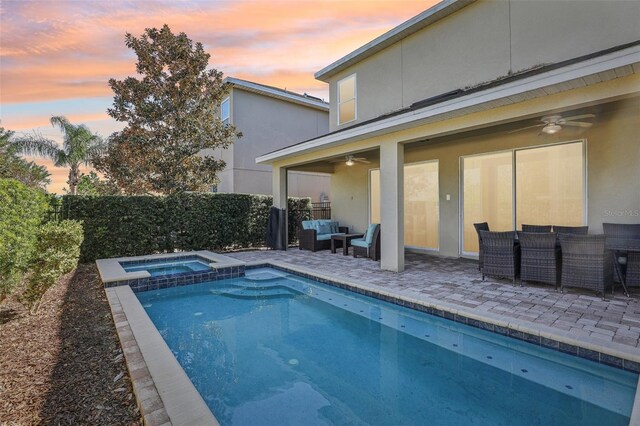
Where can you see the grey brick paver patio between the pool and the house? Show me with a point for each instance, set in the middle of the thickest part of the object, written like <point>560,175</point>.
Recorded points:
<point>575,314</point>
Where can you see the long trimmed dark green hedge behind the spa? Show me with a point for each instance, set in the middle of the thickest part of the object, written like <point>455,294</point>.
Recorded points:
<point>117,226</point>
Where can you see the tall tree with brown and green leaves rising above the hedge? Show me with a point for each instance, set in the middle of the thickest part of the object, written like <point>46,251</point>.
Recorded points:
<point>171,116</point>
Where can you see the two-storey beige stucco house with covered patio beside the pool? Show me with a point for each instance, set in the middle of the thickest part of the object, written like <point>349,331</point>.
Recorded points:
<point>461,112</point>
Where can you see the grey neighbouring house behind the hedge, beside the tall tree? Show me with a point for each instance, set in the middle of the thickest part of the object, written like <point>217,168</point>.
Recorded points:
<point>270,119</point>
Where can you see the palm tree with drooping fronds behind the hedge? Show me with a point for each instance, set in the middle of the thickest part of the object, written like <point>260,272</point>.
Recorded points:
<point>80,146</point>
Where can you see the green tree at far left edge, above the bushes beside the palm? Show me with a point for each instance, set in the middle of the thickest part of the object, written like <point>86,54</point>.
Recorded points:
<point>14,167</point>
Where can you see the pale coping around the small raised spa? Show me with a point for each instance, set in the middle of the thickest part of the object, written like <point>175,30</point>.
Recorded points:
<point>111,271</point>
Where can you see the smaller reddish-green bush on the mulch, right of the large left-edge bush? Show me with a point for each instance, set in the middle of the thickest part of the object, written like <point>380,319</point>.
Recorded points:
<point>57,253</point>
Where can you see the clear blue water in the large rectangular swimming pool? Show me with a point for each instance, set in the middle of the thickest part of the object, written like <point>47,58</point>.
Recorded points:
<point>277,349</point>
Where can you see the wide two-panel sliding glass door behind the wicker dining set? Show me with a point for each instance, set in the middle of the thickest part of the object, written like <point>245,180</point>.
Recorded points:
<point>547,188</point>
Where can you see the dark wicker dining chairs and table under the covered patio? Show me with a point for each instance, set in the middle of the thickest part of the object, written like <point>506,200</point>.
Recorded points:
<point>563,255</point>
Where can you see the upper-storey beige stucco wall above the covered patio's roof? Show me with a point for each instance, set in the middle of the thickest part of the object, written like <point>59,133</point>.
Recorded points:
<point>481,42</point>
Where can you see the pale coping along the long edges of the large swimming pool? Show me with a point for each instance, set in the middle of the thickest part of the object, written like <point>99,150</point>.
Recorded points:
<point>163,363</point>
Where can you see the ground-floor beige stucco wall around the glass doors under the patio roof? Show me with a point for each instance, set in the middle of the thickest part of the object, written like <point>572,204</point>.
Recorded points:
<point>613,156</point>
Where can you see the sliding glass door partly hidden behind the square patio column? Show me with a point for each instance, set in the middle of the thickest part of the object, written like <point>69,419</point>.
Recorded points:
<point>421,204</point>
